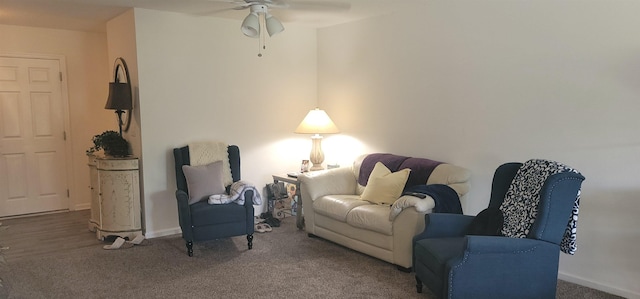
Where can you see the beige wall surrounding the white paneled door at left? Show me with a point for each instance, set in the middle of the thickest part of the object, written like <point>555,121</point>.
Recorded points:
<point>87,74</point>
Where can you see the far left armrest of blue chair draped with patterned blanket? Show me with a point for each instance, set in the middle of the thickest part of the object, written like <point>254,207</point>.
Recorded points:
<point>443,225</point>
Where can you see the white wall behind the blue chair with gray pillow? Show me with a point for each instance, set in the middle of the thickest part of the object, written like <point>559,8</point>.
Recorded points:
<point>201,79</point>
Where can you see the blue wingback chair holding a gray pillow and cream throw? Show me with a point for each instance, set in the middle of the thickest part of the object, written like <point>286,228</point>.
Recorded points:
<point>202,221</point>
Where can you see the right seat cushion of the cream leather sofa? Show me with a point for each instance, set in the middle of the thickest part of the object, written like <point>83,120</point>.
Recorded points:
<point>372,217</point>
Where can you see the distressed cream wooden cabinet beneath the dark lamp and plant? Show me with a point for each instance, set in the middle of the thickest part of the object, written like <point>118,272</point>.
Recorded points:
<point>115,197</point>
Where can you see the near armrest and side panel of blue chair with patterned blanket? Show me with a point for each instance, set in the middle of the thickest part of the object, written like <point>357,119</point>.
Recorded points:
<point>527,266</point>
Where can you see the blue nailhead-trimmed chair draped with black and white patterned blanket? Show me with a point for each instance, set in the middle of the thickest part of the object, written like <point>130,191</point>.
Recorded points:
<point>453,264</point>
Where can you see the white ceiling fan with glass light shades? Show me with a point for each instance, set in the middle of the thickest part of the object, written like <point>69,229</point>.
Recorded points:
<point>259,15</point>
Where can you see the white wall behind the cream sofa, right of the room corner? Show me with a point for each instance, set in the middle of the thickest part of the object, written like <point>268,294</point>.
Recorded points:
<point>480,83</point>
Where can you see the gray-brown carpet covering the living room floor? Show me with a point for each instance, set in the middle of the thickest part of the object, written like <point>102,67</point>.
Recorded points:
<point>284,263</point>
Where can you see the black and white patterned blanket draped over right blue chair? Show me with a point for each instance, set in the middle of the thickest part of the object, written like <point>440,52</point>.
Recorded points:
<point>520,205</point>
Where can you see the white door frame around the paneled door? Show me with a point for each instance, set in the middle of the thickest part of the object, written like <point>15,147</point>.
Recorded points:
<point>65,115</point>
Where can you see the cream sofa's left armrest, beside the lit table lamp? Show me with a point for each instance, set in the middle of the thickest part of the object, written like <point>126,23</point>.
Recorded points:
<point>333,181</point>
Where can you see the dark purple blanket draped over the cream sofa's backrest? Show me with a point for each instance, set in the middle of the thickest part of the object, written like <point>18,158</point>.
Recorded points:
<point>421,168</point>
